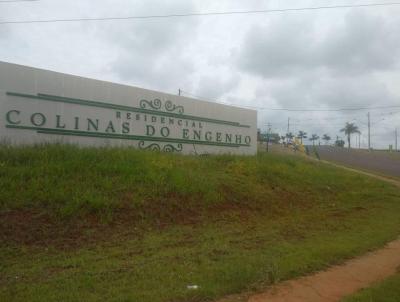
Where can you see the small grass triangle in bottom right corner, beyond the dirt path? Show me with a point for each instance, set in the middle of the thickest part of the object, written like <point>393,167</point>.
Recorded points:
<point>386,291</point>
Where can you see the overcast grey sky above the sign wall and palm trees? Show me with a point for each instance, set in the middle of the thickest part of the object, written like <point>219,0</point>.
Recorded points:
<point>324,59</point>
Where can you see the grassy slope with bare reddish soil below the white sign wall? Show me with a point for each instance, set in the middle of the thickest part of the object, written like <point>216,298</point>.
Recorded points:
<point>150,224</point>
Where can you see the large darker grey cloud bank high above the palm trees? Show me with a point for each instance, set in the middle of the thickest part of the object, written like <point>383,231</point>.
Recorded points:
<point>362,43</point>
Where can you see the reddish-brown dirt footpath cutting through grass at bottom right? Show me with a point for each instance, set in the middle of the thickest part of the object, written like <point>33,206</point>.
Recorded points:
<point>339,281</point>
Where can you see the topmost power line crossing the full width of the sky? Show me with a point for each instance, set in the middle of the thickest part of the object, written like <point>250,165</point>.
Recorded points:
<point>202,14</point>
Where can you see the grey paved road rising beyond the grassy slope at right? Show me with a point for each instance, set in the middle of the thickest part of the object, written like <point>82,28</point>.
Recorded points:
<point>376,161</point>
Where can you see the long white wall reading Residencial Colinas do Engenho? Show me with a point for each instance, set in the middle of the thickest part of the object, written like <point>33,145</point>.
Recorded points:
<point>39,106</point>
